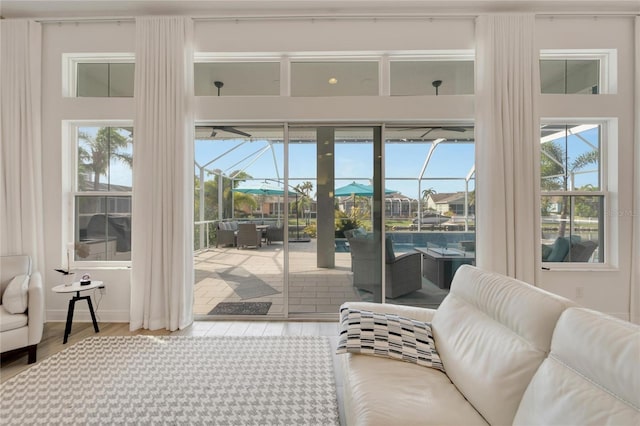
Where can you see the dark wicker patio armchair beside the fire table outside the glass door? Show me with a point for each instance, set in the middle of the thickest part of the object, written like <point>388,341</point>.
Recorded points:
<point>403,273</point>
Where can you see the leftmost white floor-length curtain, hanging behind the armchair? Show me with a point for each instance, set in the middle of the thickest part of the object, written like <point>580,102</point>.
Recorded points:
<point>21,209</point>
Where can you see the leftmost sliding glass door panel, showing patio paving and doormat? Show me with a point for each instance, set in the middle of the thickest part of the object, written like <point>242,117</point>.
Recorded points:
<point>239,221</point>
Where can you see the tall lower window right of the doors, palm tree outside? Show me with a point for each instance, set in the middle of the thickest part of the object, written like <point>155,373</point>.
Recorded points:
<point>573,192</point>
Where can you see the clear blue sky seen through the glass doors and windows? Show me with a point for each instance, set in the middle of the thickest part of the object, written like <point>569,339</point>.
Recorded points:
<point>354,162</point>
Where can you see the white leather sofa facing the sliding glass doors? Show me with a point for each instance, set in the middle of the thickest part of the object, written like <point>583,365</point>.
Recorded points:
<point>513,354</point>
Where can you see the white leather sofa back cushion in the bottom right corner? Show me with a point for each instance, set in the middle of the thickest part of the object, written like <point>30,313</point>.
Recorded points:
<point>592,375</point>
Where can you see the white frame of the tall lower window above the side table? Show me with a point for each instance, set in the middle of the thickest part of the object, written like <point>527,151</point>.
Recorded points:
<point>70,182</point>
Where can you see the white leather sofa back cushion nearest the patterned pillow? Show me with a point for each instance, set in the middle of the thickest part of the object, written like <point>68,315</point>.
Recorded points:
<point>492,333</point>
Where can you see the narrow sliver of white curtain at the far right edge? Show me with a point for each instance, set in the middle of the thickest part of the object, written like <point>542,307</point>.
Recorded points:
<point>634,297</point>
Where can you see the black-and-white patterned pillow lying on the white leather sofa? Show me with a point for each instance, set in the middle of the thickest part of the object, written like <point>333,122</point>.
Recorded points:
<point>387,335</point>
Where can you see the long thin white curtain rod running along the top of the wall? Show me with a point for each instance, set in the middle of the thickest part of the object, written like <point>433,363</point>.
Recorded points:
<point>341,17</point>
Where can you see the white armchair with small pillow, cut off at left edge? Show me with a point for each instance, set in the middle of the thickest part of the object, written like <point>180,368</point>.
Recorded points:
<point>20,329</point>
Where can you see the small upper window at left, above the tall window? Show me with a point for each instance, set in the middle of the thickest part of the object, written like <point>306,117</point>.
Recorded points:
<point>98,75</point>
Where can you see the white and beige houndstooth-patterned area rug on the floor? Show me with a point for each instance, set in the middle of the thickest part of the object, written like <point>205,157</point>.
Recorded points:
<point>278,380</point>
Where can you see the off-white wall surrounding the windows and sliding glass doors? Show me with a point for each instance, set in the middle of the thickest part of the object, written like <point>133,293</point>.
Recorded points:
<point>607,291</point>
